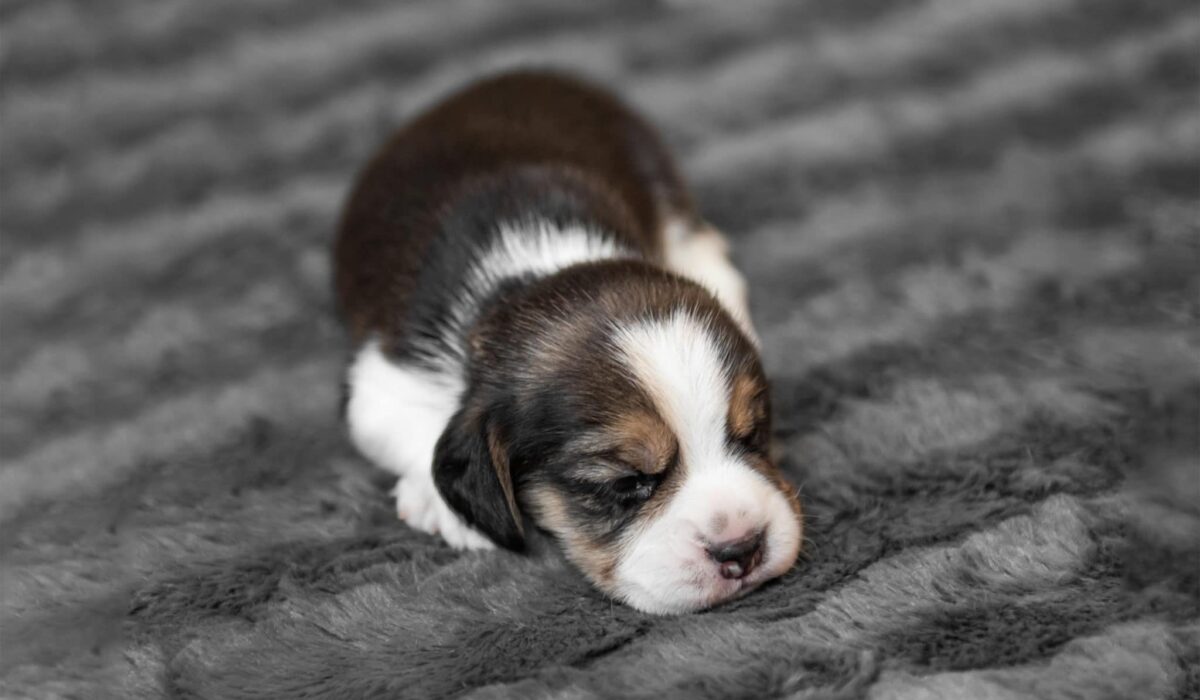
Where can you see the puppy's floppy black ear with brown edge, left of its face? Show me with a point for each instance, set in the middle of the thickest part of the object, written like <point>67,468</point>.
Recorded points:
<point>471,469</point>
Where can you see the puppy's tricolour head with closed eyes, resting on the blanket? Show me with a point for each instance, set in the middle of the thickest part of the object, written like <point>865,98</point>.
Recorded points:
<point>625,412</point>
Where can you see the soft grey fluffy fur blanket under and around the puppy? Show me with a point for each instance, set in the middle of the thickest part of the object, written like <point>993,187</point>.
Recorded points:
<point>971,235</point>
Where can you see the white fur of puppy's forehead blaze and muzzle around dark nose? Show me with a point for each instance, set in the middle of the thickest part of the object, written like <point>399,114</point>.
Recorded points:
<point>664,567</point>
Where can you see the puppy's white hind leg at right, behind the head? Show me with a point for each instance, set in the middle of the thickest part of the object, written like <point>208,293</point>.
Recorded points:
<point>700,253</point>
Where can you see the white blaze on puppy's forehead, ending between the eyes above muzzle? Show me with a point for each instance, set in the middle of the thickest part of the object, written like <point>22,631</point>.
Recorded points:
<point>680,364</point>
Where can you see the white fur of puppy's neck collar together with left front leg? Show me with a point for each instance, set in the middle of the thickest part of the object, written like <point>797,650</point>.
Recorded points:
<point>397,414</point>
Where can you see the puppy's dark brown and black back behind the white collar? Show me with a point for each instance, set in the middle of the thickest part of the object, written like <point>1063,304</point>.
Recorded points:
<point>520,147</point>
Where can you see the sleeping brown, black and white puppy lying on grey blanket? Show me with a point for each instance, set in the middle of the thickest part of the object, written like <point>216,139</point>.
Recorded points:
<point>545,331</point>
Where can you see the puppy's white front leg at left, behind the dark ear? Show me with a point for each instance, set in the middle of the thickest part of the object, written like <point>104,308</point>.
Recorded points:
<point>397,415</point>
